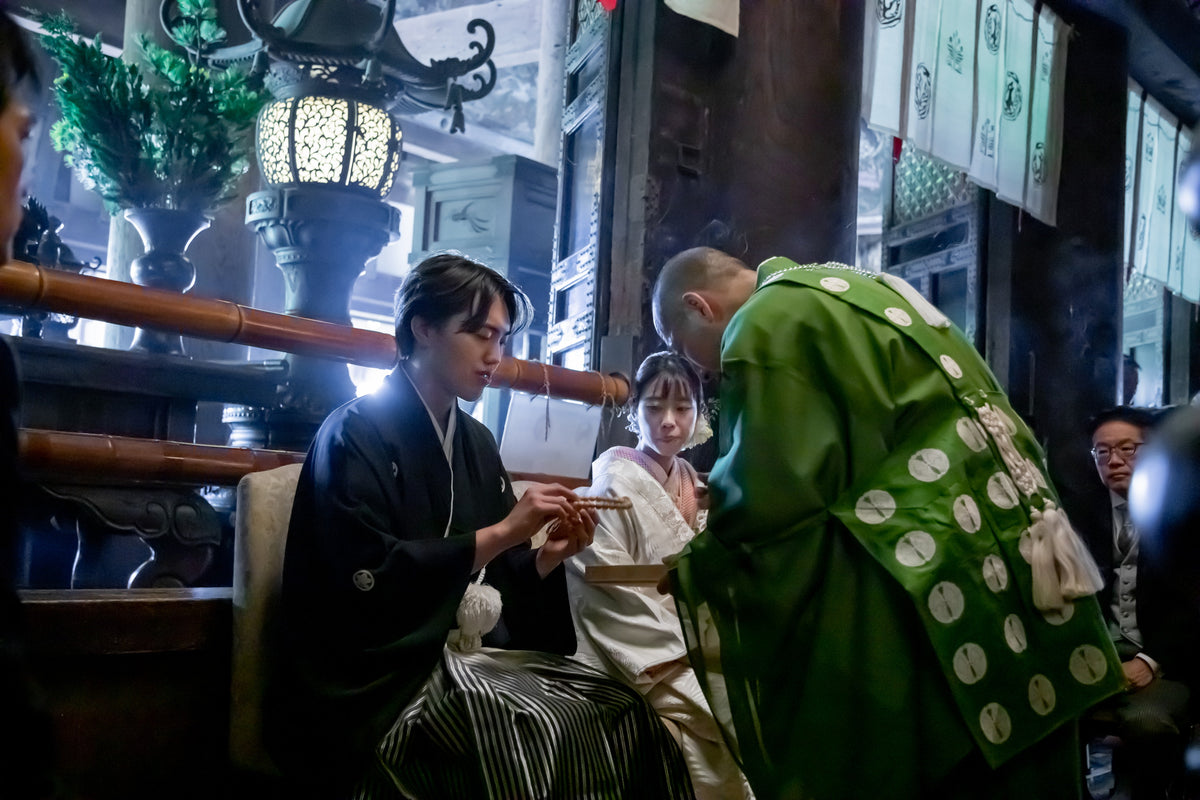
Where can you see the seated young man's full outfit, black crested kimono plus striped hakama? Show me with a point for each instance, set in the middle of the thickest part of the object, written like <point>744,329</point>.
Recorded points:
<point>368,696</point>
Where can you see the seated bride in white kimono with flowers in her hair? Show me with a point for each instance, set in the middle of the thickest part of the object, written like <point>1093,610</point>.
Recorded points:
<point>633,633</point>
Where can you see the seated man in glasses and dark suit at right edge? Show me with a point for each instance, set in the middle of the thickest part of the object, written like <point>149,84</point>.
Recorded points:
<point>1156,634</point>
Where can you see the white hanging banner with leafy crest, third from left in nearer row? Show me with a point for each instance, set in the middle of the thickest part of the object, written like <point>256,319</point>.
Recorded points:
<point>955,86</point>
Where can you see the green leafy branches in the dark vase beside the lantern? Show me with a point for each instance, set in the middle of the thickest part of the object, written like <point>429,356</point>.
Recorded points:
<point>178,137</point>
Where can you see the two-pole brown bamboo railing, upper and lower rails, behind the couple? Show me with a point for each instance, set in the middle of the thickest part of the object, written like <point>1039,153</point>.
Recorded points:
<point>95,458</point>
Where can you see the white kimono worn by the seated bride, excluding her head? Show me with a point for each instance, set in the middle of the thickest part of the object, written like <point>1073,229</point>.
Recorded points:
<point>633,633</point>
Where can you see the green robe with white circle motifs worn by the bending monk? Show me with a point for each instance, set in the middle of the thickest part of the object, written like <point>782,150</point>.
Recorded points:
<point>860,609</point>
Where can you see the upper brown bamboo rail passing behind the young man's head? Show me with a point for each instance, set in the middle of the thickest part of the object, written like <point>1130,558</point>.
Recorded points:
<point>125,304</point>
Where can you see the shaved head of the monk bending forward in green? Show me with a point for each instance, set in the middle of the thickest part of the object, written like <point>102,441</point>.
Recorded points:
<point>695,297</point>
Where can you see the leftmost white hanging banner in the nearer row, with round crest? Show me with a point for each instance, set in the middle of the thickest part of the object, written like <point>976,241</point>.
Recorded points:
<point>887,27</point>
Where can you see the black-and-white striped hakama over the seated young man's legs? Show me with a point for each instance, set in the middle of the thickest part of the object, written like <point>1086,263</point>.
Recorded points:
<point>511,725</point>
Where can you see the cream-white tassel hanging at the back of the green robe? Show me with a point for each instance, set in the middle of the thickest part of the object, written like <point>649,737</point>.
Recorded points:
<point>1064,570</point>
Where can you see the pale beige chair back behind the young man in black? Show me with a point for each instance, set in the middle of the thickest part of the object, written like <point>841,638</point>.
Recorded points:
<point>261,526</point>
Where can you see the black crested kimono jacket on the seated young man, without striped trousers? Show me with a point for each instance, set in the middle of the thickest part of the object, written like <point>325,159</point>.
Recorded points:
<point>371,585</point>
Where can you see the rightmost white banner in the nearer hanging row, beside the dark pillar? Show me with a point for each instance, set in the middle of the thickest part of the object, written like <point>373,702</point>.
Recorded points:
<point>1046,117</point>
